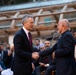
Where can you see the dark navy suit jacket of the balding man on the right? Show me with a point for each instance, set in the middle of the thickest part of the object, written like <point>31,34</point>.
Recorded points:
<point>64,54</point>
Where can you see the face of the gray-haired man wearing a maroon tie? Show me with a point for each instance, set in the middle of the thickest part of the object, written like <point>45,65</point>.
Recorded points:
<point>28,24</point>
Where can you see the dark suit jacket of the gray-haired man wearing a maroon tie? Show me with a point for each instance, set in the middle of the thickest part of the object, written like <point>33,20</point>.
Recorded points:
<point>23,54</point>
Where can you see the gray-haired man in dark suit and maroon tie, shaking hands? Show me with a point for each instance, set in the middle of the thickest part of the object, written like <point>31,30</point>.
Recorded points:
<point>22,63</point>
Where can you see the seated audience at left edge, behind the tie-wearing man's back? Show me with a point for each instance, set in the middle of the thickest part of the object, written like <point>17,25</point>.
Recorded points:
<point>6,56</point>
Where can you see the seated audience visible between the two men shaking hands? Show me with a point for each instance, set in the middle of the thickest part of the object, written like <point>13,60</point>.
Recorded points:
<point>44,64</point>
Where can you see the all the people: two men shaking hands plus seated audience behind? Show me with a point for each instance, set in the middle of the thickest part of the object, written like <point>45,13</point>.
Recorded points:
<point>33,58</point>
